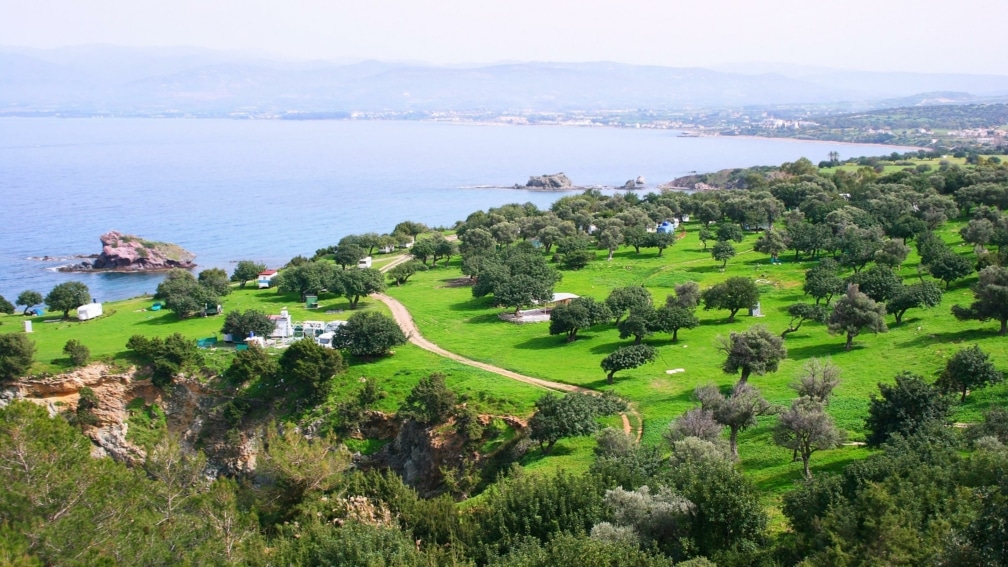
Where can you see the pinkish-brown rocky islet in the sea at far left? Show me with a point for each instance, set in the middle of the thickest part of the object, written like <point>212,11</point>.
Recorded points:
<point>127,253</point>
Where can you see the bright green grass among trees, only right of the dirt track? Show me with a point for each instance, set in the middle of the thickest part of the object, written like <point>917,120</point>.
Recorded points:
<point>450,316</point>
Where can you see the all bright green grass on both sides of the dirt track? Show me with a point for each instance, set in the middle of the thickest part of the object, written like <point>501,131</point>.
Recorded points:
<point>448,314</point>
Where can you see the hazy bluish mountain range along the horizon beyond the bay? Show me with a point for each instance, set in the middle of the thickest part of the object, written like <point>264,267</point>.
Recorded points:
<point>198,82</point>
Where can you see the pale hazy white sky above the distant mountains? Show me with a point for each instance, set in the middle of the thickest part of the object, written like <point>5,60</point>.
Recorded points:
<point>923,36</point>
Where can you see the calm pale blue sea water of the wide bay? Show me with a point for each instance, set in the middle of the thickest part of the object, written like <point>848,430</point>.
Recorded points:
<point>230,190</point>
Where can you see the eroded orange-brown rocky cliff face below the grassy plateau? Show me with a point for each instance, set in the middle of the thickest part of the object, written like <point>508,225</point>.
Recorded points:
<point>416,452</point>
